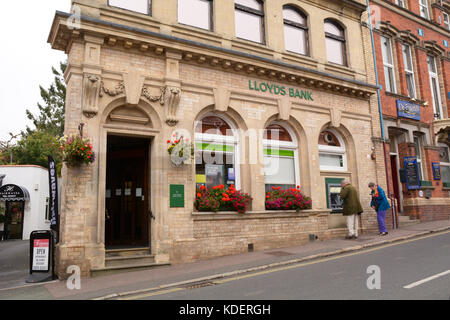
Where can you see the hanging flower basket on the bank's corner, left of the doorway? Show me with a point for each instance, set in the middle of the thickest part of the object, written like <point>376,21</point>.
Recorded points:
<point>76,150</point>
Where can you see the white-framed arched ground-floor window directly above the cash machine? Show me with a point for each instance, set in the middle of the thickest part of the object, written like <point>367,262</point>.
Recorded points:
<point>332,152</point>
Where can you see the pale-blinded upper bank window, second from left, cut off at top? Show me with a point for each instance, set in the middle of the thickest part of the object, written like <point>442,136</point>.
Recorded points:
<point>196,13</point>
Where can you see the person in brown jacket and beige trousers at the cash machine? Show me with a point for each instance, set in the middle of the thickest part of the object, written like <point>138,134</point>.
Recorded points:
<point>352,208</point>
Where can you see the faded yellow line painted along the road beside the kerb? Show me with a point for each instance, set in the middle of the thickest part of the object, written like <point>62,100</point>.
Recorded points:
<point>298,265</point>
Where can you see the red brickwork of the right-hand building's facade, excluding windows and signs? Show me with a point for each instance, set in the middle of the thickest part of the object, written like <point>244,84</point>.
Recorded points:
<point>425,37</point>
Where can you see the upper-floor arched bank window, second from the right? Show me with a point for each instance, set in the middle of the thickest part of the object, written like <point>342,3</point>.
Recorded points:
<point>295,31</point>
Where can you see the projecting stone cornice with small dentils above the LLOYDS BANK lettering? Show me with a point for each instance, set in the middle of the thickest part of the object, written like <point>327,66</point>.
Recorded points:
<point>198,53</point>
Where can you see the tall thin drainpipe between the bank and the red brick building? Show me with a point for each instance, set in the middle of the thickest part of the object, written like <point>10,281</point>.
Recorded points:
<point>394,211</point>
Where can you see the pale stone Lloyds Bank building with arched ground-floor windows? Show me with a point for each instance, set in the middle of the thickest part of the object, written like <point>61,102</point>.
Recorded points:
<point>221,73</point>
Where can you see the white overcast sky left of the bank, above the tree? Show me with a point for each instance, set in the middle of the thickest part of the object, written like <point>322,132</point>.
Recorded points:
<point>25,59</point>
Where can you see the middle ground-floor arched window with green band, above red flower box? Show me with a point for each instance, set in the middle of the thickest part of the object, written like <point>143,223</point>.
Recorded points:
<point>280,157</point>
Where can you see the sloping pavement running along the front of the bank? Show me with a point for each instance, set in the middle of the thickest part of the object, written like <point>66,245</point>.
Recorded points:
<point>183,274</point>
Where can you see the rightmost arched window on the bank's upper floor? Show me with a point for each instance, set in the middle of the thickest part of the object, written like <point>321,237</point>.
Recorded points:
<point>335,43</point>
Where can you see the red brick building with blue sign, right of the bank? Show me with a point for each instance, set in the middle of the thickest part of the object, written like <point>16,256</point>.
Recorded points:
<point>413,59</point>
